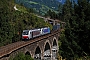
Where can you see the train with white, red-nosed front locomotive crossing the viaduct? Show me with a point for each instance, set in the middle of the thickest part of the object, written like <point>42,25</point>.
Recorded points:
<point>29,34</point>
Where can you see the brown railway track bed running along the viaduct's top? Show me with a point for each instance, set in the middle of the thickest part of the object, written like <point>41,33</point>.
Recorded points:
<point>4,50</point>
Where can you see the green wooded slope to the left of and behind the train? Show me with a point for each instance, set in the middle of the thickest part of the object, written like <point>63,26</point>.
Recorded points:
<point>13,22</point>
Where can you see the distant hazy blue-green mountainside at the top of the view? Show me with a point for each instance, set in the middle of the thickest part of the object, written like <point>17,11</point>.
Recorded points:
<point>41,6</point>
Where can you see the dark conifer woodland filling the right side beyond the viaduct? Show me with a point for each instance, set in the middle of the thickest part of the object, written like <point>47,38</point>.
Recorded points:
<point>75,39</point>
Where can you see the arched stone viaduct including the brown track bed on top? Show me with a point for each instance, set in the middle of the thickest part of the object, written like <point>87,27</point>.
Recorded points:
<point>36,49</point>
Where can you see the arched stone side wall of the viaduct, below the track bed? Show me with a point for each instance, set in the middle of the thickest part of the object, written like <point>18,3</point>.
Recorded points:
<point>38,47</point>
